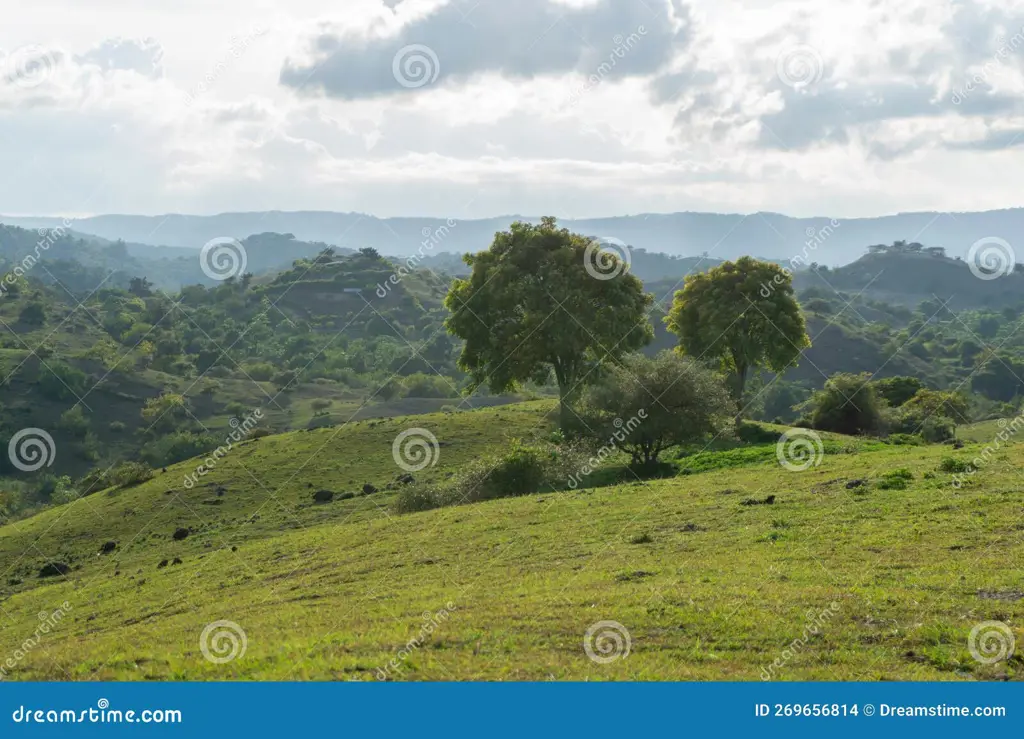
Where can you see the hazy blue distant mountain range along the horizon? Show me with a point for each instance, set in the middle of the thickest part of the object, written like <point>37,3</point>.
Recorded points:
<point>831,242</point>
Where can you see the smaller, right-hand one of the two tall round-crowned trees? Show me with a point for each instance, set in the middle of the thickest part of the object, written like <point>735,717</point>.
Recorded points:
<point>742,315</point>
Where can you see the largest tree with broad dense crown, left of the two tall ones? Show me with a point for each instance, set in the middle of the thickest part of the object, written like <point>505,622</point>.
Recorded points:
<point>542,300</point>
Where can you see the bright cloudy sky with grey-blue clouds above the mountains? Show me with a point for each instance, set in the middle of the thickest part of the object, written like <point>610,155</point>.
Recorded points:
<point>480,108</point>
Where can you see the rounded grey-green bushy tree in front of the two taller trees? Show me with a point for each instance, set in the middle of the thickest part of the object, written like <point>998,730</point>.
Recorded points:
<point>650,406</point>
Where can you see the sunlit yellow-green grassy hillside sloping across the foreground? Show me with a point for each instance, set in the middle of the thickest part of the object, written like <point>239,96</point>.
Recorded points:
<point>708,586</point>
